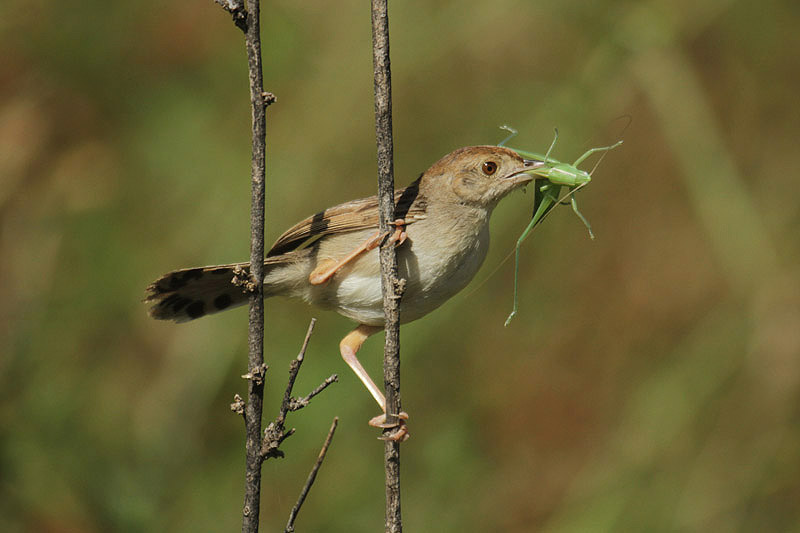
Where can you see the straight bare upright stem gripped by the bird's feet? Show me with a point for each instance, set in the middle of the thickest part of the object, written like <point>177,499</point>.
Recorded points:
<point>391,286</point>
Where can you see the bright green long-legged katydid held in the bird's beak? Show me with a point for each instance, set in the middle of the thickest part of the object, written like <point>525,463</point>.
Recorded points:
<point>553,175</point>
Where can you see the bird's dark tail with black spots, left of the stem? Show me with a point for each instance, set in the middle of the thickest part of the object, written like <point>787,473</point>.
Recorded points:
<point>191,293</point>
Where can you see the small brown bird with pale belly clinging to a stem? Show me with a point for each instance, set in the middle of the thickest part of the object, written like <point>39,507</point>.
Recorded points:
<point>330,259</point>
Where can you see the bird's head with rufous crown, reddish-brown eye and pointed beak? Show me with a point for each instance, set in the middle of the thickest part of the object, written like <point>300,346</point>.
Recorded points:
<point>478,175</point>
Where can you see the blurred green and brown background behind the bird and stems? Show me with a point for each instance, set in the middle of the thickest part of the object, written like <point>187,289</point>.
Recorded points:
<point>649,383</point>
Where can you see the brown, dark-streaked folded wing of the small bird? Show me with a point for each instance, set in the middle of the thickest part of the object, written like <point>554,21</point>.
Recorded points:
<point>350,216</point>
